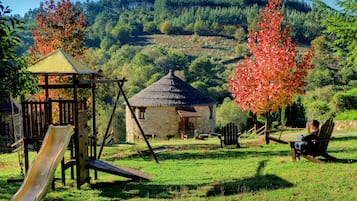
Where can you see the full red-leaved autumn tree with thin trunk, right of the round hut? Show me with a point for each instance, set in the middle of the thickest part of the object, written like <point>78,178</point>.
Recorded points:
<point>268,79</point>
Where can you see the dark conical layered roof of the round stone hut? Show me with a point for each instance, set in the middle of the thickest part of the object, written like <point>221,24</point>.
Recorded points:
<point>170,91</point>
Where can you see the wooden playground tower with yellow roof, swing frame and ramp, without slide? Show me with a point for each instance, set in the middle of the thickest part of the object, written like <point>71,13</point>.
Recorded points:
<point>38,116</point>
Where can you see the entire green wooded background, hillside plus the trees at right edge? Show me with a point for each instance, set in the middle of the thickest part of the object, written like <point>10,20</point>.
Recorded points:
<point>126,39</point>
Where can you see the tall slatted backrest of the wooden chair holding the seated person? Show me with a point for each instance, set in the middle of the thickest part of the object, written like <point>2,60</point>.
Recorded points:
<point>325,135</point>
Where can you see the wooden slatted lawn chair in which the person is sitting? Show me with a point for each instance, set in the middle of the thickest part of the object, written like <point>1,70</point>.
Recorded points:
<point>319,146</point>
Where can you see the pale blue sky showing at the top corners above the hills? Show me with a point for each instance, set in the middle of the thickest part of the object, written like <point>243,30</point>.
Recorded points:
<point>22,6</point>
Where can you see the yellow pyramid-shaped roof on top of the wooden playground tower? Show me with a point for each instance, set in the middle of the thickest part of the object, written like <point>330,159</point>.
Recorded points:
<point>59,62</point>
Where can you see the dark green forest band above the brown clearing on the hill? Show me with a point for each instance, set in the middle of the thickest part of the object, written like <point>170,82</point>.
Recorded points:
<point>203,17</point>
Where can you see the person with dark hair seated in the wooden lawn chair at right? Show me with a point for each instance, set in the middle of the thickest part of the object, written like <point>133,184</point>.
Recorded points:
<point>305,142</point>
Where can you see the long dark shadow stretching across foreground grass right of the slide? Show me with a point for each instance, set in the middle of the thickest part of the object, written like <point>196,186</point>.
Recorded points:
<point>126,190</point>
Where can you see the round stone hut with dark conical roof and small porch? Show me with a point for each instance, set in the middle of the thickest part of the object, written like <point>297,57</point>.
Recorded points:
<point>170,108</point>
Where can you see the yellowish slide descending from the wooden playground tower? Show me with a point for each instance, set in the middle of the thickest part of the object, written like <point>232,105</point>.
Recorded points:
<point>40,173</point>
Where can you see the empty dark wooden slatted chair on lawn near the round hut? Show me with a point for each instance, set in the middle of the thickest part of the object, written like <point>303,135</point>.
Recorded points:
<point>230,135</point>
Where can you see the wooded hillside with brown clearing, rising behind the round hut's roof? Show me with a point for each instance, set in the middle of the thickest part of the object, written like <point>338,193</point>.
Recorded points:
<point>210,28</point>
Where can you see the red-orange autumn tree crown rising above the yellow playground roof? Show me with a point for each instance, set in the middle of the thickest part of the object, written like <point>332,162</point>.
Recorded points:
<point>59,25</point>
